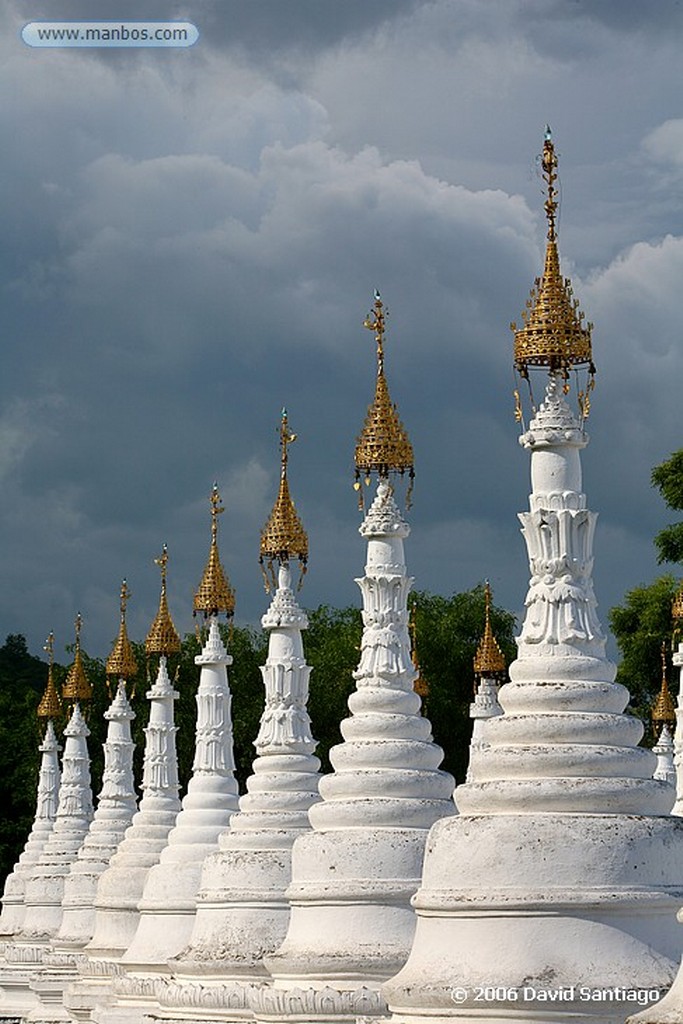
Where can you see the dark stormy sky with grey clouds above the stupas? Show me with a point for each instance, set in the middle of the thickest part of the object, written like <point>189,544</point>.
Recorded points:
<point>192,239</point>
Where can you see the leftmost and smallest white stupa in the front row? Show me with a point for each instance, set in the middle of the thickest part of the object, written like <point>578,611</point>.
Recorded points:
<point>50,709</point>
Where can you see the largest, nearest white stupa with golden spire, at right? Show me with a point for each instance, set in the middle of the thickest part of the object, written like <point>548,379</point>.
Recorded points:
<point>563,873</point>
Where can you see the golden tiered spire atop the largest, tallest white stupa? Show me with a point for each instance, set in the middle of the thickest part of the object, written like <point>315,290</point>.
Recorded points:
<point>554,334</point>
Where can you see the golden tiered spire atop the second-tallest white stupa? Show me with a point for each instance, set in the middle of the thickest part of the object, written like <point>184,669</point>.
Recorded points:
<point>383,446</point>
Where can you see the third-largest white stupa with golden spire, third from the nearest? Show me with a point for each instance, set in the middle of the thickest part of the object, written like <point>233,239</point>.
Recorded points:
<point>242,912</point>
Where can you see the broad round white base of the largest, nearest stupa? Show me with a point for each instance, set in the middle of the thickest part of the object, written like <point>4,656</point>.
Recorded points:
<point>545,918</point>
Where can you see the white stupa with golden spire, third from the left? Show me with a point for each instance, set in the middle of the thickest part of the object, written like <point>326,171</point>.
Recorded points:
<point>116,806</point>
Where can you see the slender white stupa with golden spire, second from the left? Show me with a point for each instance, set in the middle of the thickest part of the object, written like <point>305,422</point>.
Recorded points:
<point>46,884</point>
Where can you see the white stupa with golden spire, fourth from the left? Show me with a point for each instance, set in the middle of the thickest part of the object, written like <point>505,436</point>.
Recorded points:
<point>121,886</point>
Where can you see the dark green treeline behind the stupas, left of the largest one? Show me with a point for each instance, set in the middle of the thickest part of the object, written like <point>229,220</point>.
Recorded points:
<point>448,633</point>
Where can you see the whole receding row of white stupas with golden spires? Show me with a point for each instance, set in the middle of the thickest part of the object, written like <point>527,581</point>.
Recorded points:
<point>546,891</point>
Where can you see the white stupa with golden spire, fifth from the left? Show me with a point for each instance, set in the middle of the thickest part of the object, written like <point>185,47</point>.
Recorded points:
<point>169,901</point>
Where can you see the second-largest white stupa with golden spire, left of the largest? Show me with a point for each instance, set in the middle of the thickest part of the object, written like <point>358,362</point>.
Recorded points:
<point>354,876</point>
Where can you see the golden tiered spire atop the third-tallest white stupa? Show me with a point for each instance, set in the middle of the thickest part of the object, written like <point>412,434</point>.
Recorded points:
<point>283,537</point>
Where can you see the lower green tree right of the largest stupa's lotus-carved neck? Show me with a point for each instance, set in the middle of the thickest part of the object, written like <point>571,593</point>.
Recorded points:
<point>641,626</point>
